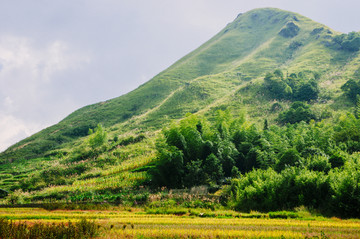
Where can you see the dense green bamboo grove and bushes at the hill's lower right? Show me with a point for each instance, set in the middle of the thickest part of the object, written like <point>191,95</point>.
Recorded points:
<point>311,164</point>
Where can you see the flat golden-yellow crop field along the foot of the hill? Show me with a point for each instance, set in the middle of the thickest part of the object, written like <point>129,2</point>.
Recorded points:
<point>136,223</point>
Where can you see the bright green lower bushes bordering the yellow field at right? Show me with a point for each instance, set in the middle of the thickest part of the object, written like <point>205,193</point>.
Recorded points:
<point>332,191</point>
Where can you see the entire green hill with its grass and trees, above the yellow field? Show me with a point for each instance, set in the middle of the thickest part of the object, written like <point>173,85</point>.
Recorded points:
<point>256,138</point>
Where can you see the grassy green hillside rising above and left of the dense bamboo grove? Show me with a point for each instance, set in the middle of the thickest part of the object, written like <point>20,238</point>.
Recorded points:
<point>255,68</point>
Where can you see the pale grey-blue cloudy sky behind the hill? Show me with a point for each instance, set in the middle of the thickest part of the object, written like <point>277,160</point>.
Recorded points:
<point>57,56</point>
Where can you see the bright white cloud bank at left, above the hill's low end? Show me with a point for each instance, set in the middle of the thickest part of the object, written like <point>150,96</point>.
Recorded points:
<point>27,73</point>
